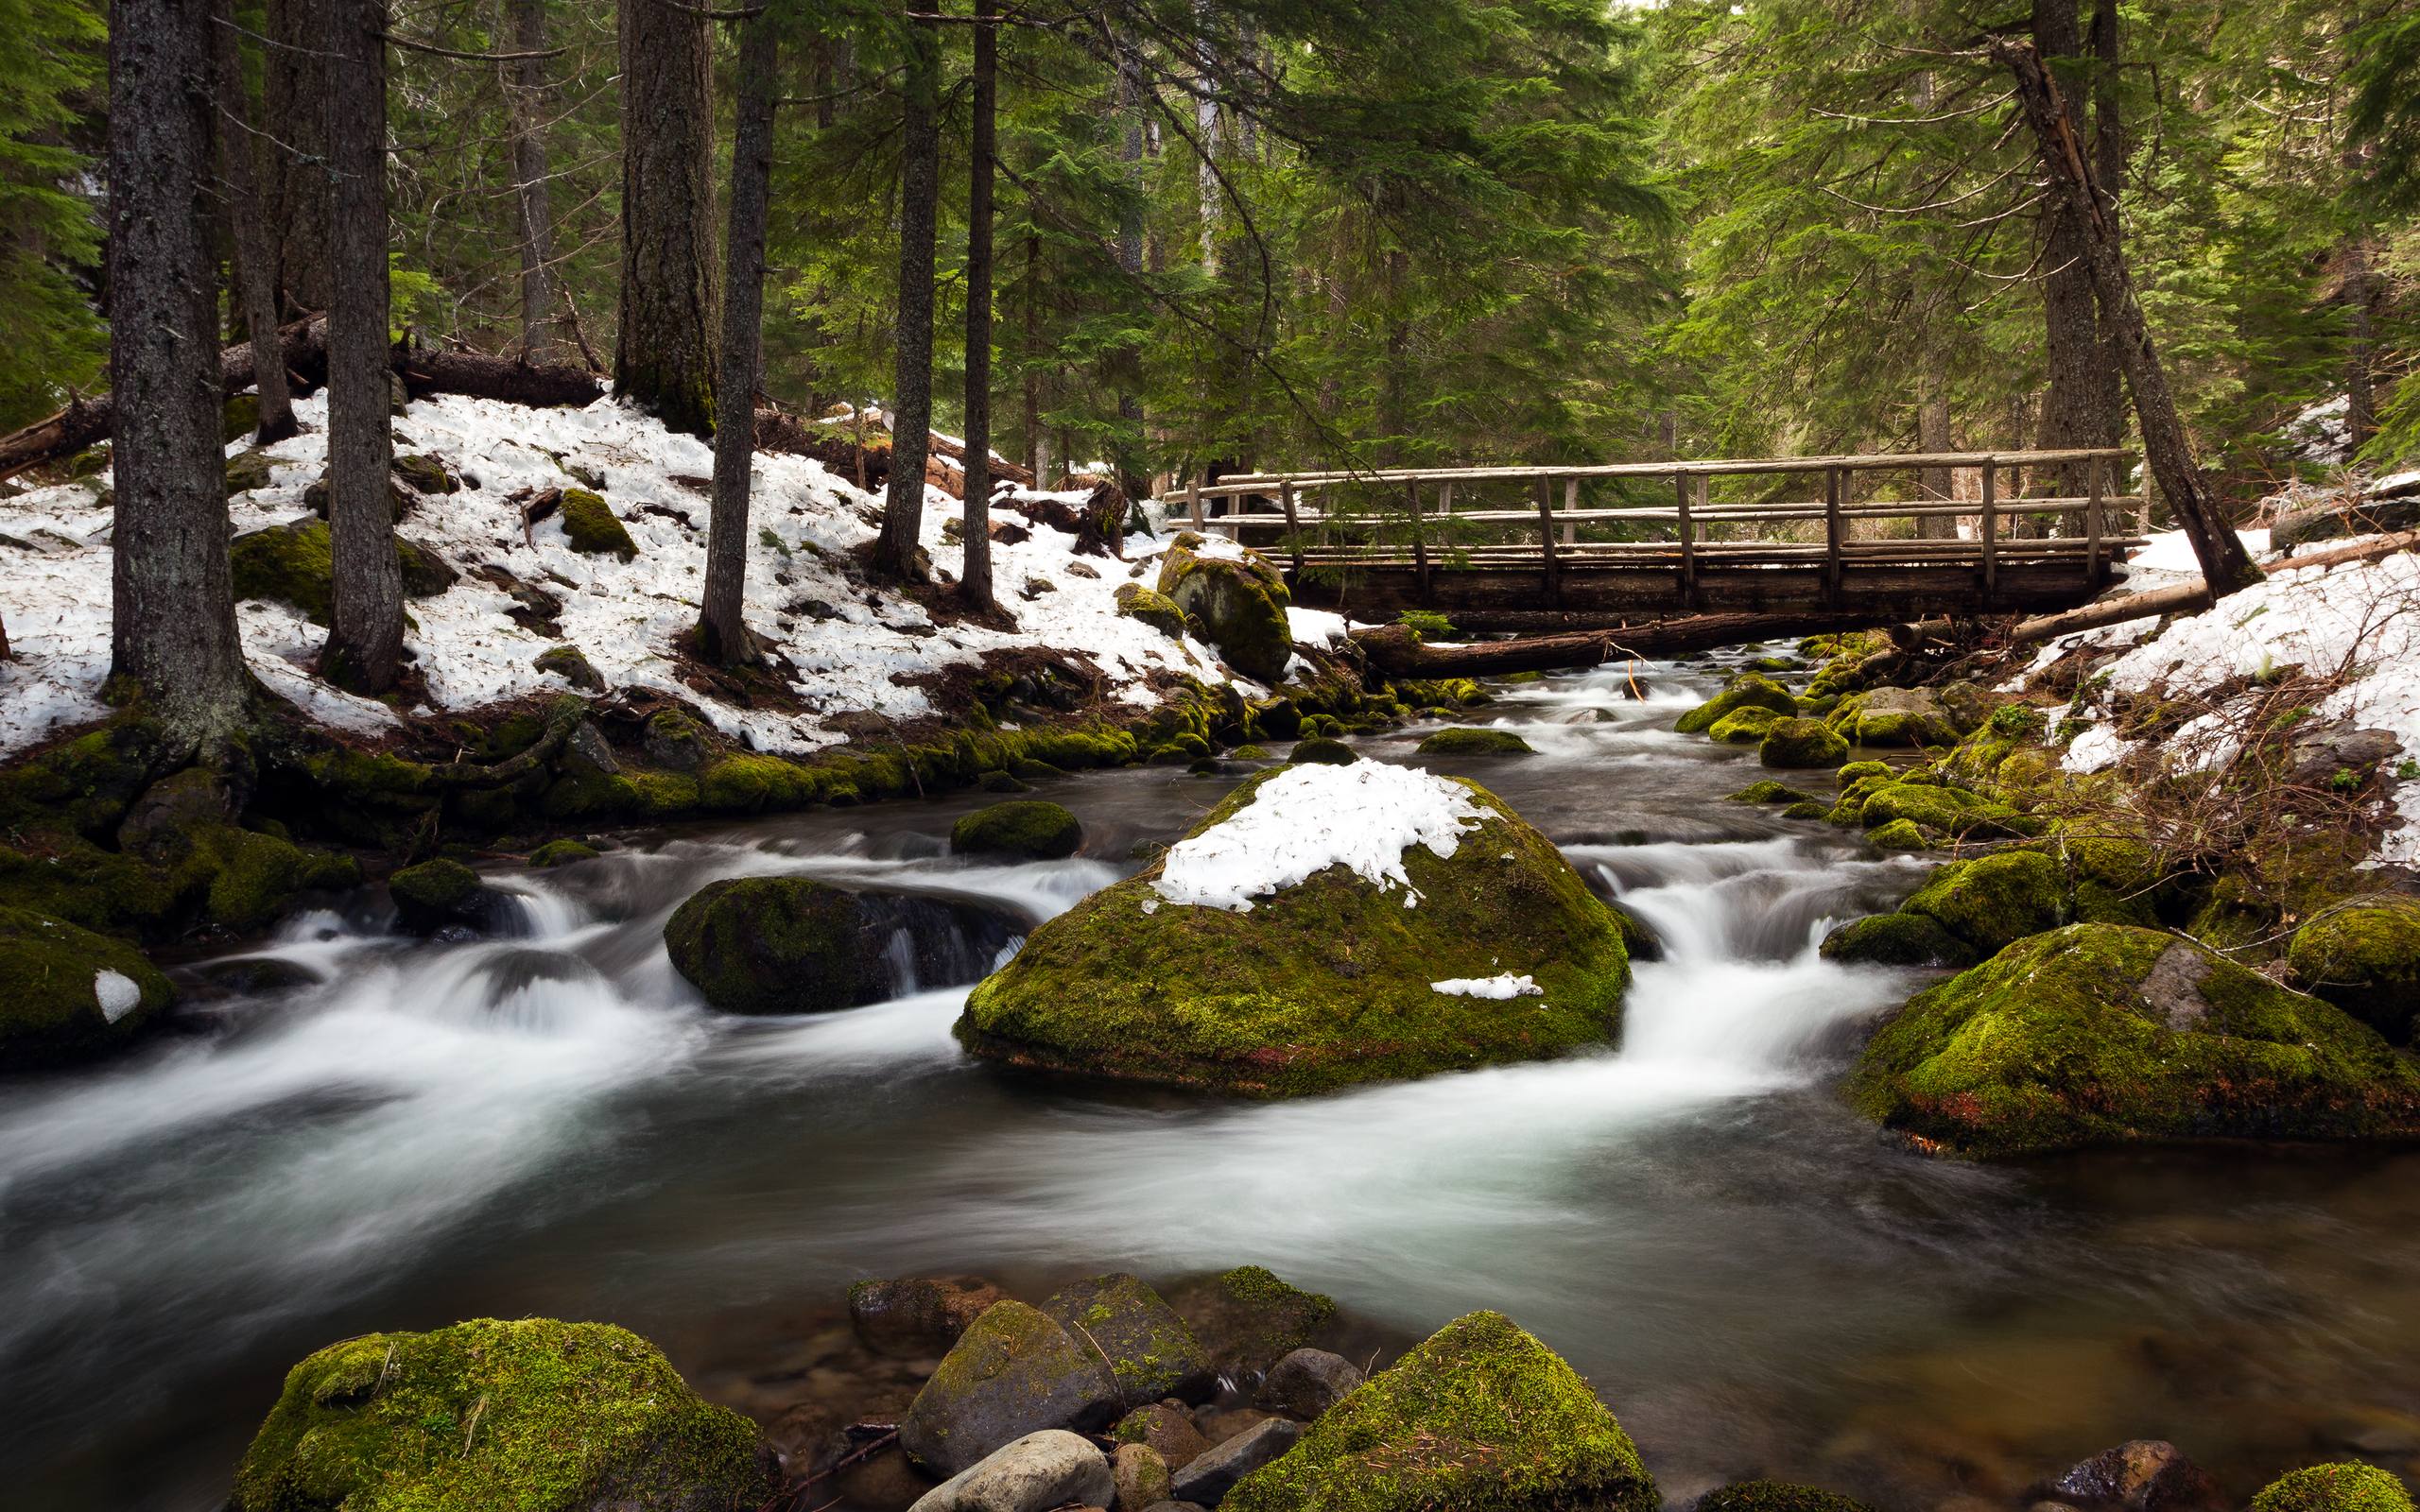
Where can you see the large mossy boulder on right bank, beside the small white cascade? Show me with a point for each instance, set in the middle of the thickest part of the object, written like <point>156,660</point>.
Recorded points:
<point>2099,1034</point>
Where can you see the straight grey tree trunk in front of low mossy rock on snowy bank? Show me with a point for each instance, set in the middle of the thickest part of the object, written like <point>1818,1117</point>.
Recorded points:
<point>367,637</point>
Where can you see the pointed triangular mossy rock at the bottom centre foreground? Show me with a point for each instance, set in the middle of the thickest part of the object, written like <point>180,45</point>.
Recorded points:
<point>1480,1419</point>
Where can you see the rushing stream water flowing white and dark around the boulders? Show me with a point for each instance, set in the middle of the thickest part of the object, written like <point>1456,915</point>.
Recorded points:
<point>374,1133</point>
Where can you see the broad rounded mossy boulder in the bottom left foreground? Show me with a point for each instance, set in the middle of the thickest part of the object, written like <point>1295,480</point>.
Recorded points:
<point>488,1416</point>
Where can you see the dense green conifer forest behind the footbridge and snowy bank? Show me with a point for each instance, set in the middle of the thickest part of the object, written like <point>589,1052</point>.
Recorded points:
<point>1284,233</point>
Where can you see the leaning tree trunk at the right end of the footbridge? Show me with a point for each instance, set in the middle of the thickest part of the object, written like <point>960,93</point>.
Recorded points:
<point>2165,442</point>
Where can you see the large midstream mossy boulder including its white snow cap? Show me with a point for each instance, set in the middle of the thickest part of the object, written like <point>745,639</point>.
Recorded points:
<point>1320,928</point>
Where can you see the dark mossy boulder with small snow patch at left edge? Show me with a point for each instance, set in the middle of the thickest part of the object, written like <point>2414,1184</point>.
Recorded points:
<point>69,993</point>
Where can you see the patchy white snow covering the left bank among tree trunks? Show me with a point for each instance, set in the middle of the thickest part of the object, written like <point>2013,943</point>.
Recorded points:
<point>853,650</point>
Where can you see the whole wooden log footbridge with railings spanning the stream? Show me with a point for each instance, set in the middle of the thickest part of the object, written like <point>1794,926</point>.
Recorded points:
<point>1577,541</point>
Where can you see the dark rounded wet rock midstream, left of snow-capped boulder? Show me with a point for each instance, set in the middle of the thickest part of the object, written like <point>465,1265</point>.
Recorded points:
<point>773,945</point>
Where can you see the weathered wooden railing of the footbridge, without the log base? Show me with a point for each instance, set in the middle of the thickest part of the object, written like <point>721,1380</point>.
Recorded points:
<point>1313,519</point>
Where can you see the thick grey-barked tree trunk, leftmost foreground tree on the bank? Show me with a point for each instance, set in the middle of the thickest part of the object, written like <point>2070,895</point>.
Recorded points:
<point>173,601</point>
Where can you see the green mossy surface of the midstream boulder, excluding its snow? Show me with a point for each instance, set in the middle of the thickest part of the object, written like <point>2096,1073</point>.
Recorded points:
<point>1320,986</point>
